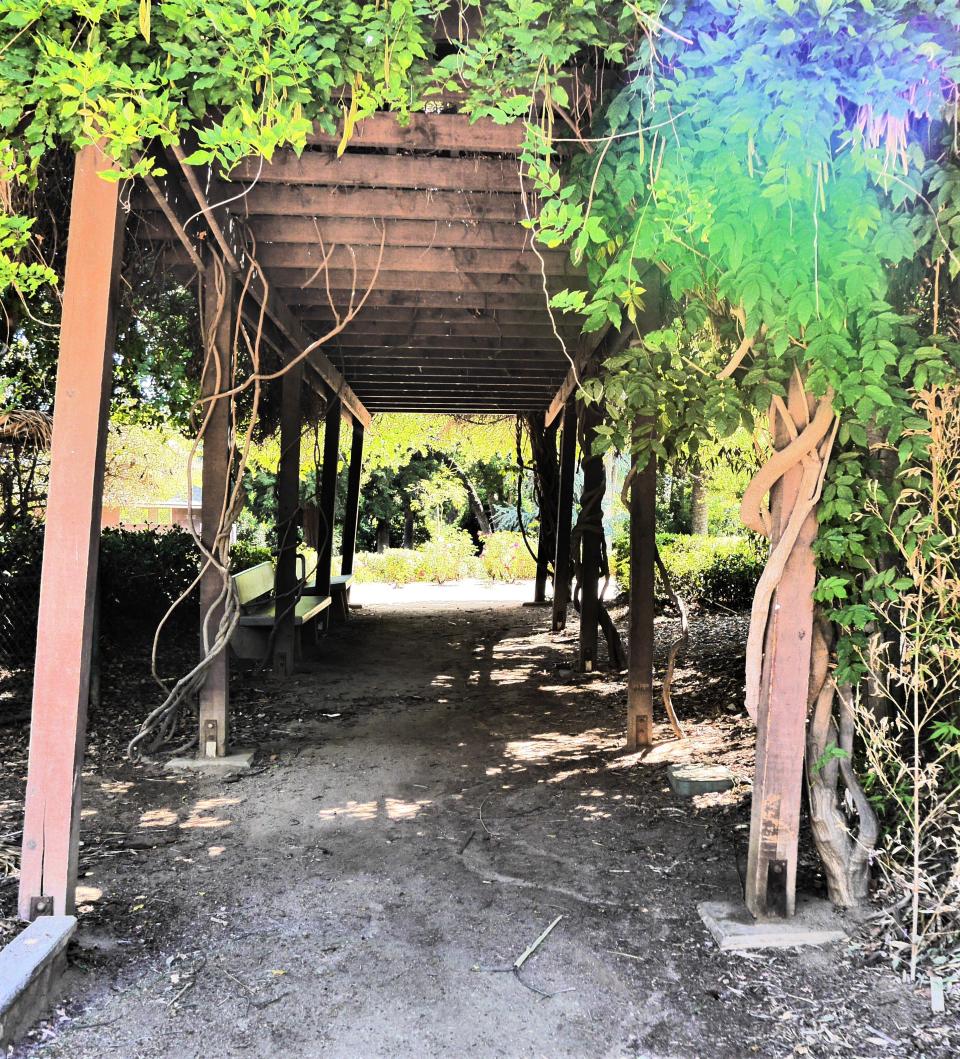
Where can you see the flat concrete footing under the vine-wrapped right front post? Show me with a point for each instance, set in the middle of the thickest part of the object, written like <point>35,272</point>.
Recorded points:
<point>733,927</point>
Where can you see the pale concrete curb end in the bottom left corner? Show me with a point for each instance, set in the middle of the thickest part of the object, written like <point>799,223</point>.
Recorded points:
<point>30,971</point>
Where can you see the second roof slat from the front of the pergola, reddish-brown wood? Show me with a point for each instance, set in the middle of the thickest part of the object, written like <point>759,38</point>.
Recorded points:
<point>383,171</point>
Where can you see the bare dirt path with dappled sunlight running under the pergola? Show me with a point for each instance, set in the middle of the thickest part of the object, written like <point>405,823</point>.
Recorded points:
<point>424,804</point>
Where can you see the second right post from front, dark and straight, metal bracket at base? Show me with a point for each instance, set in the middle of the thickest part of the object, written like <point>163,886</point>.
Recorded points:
<point>643,544</point>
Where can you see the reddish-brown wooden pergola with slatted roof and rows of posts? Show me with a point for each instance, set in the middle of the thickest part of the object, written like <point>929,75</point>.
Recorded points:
<point>425,222</point>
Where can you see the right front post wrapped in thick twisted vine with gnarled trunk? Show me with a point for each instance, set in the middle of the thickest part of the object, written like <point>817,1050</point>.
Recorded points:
<point>788,676</point>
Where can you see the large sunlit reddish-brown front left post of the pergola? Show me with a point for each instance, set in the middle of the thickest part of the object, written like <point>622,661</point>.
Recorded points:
<point>71,545</point>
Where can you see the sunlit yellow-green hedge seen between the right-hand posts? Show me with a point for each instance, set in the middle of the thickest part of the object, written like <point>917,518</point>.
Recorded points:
<point>705,571</point>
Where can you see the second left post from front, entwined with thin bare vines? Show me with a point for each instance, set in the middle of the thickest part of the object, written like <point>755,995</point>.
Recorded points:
<point>216,379</point>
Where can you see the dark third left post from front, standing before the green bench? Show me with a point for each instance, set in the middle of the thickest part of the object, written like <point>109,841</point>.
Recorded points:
<point>287,510</point>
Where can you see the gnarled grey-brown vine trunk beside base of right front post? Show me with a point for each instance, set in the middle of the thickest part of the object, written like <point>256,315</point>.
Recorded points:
<point>846,855</point>
